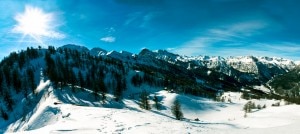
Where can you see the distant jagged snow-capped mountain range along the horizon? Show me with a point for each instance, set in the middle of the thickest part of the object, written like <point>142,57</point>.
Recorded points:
<point>253,69</point>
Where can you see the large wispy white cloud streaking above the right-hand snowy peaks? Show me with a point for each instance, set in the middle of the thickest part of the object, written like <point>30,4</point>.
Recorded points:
<point>220,38</point>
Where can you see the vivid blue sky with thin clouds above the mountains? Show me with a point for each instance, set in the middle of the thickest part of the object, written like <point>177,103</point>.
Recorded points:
<point>188,27</point>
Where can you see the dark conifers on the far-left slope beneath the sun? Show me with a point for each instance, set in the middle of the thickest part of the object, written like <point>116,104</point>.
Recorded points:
<point>15,78</point>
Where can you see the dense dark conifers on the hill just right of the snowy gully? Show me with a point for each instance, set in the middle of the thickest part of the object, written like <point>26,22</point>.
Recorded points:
<point>67,67</point>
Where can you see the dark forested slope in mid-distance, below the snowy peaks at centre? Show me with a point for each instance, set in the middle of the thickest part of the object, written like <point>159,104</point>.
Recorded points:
<point>172,78</point>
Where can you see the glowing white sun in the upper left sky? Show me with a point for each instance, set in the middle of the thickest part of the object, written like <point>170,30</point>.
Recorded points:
<point>34,22</point>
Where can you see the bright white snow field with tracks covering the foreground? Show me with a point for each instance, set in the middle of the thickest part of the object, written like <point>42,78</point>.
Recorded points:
<point>76,115</point>
